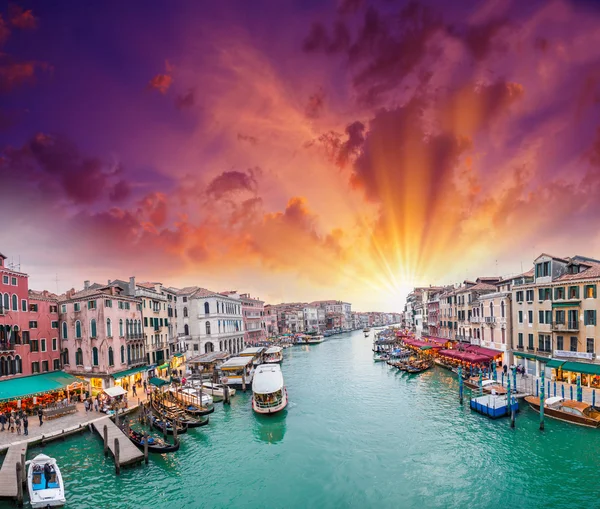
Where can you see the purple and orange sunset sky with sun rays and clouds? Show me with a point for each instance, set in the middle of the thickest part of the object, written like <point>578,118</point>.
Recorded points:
<point>297,150</point>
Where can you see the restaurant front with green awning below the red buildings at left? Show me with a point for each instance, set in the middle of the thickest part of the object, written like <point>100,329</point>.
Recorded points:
<point>46,390</point>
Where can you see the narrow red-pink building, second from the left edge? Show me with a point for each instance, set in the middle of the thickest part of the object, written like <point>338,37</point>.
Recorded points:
<point>44,340</point>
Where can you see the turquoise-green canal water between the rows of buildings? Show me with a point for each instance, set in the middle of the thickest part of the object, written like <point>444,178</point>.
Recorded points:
<point>356,434</point>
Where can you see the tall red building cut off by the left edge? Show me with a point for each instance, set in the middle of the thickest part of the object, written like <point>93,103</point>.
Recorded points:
<point>14,321</point>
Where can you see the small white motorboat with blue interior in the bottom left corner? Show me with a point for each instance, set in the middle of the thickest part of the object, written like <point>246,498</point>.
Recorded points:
<point>45,483</point>
